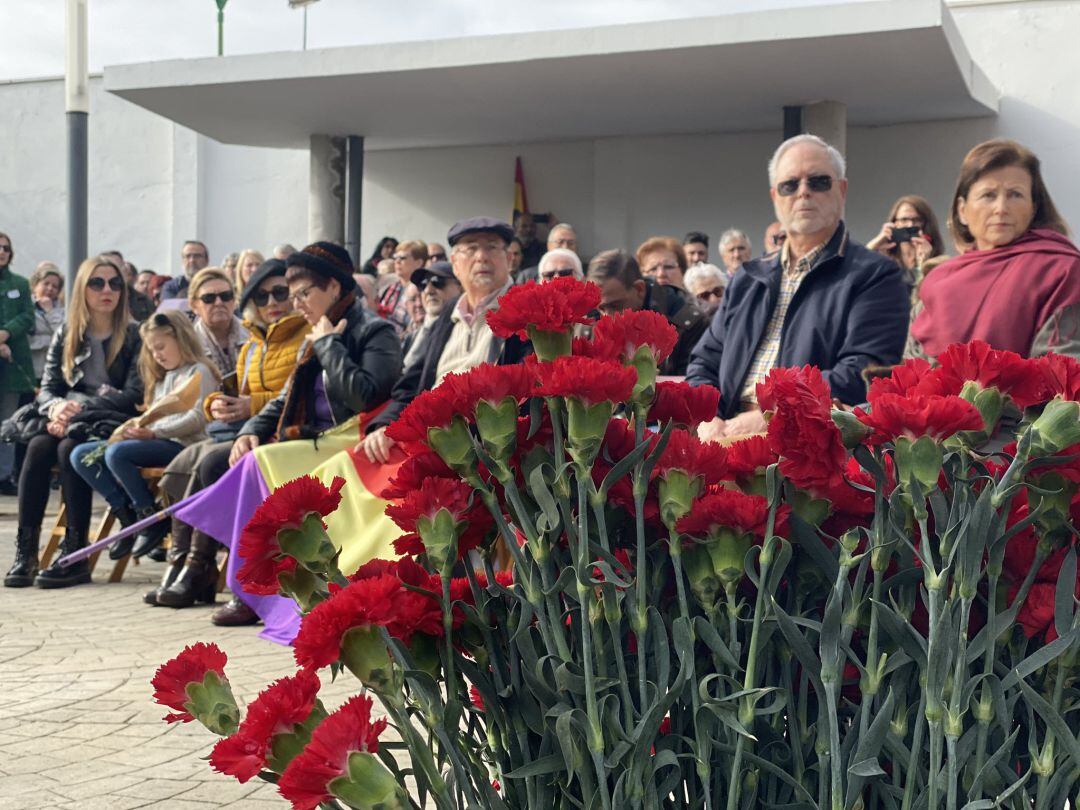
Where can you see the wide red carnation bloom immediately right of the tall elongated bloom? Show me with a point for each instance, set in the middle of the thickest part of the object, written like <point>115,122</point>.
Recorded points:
<point>914,416</point>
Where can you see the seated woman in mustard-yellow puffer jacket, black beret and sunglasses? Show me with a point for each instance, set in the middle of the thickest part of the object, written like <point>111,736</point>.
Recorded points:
<point>263,369</point>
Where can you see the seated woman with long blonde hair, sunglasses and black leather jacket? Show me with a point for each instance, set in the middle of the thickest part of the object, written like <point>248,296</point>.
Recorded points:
<point>92,367</point>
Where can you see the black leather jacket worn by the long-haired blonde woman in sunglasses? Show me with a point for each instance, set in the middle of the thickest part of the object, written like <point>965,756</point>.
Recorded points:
<point>124,377</point>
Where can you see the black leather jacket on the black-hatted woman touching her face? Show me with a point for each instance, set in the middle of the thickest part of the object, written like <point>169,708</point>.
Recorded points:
<point>359,369</point>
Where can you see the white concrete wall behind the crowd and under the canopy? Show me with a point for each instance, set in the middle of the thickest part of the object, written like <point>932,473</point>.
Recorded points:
<point>154,184</point>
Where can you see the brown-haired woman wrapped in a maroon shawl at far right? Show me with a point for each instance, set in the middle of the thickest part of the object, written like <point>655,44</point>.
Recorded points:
<point>1017,281</point>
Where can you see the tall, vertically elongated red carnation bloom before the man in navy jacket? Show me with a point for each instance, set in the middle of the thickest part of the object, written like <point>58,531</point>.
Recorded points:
<point>802,430</point>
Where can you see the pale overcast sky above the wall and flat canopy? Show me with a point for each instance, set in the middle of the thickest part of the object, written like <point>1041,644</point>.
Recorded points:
<point>144,31</point>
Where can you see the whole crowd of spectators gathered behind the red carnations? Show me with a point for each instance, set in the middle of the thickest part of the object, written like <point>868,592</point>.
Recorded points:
<point>323,357</point>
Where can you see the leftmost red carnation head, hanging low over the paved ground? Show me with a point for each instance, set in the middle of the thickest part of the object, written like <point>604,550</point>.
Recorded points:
<point>194,685</point>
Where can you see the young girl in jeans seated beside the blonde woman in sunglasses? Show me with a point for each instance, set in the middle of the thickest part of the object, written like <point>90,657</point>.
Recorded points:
<point>171,355</point>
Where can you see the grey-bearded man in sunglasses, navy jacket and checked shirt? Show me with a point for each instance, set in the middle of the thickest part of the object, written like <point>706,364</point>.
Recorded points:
<point>822,300</point>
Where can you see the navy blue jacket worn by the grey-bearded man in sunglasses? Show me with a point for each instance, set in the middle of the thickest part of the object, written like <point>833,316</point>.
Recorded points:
<point>850,312</point>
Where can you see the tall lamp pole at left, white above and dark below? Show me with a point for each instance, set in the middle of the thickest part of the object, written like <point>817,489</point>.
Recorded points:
<point>77,106</point>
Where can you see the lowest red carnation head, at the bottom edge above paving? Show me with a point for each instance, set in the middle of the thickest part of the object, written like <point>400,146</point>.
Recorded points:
<point>340,758</point>
